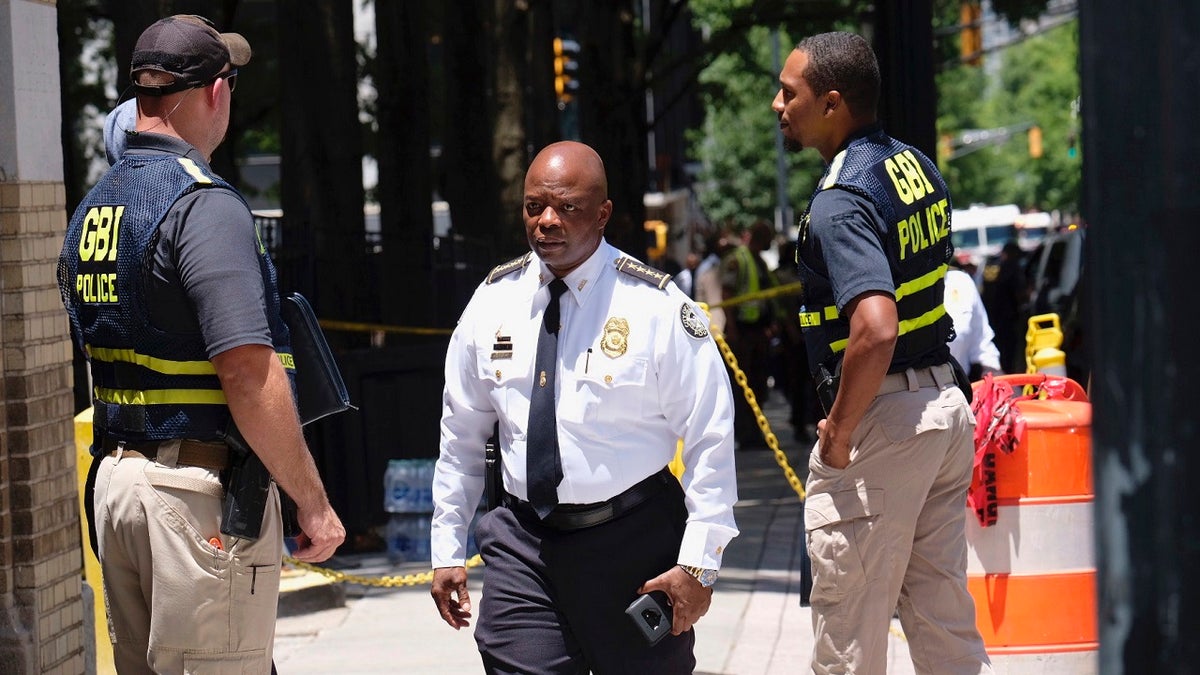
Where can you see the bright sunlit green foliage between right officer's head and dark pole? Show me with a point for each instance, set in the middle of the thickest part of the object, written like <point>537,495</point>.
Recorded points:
<point>1035,82</point>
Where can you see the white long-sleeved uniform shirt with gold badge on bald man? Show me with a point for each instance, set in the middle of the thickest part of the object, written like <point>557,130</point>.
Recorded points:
<point>633,380</point>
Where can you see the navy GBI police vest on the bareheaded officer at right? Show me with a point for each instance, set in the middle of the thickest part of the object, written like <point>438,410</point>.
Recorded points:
<point>911,196</point>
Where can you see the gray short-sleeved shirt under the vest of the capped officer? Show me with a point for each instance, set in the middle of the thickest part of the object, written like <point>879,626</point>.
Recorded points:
<point>206,276</point>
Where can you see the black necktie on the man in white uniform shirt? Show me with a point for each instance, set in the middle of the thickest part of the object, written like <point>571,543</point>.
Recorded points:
<point>544,468</point>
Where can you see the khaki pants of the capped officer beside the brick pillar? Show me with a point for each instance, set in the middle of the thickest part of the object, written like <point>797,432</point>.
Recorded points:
<point>176,602</point>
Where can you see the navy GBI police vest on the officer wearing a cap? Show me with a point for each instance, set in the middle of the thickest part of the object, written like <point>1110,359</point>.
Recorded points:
<point>148,385</point>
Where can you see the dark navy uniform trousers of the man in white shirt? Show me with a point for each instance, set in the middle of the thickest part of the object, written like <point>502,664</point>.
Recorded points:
<point>555,601</point>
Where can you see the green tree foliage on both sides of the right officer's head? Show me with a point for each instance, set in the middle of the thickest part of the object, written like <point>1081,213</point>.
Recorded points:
<point>1035,81</point>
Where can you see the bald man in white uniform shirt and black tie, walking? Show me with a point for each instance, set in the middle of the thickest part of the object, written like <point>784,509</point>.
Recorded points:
<point>593,367</point>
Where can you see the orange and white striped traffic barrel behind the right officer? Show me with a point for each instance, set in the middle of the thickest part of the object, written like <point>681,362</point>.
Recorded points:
<point>1033,575</point>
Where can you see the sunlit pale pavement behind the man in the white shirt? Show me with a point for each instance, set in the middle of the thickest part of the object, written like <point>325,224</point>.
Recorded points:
<point>755,625</point>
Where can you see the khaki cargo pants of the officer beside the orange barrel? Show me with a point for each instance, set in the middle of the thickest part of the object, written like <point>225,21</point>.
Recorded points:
<point>889,533</point>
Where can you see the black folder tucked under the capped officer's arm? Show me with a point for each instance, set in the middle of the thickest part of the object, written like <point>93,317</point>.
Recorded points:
<point>321,391</point>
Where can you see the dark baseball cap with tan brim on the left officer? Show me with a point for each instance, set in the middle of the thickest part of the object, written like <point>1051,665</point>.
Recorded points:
<point>188,47</point>
